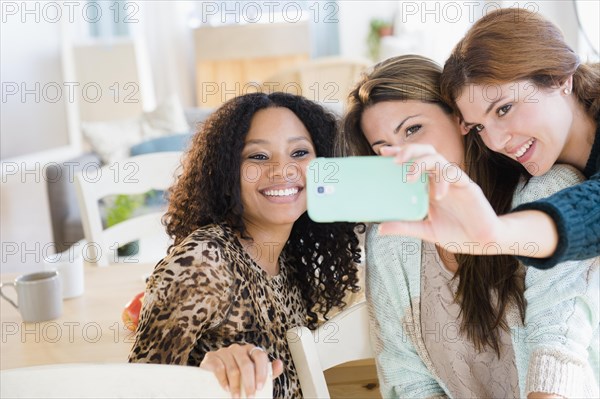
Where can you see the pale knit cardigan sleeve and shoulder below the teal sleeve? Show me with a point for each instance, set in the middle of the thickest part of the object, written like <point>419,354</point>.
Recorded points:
<point>562,317</point>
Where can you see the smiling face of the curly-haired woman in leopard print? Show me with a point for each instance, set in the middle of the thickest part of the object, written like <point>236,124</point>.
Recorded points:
<point>276,152</point>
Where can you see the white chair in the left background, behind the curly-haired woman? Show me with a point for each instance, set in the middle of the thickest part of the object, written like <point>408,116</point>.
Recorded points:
<point>134,175</point>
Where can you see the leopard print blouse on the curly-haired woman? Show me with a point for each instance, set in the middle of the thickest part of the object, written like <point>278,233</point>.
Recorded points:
<point>208,294</point>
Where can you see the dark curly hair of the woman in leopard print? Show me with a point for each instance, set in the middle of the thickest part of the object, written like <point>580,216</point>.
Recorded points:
<point>323,257</point>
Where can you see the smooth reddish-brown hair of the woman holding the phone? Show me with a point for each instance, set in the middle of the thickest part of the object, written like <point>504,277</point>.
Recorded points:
<point>512,44</point>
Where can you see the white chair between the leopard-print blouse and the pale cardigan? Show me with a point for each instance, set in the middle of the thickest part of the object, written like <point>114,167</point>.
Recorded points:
<point>343,338</point>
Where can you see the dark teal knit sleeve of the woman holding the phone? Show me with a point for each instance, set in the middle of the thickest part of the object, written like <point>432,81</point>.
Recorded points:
<point>576,214</point>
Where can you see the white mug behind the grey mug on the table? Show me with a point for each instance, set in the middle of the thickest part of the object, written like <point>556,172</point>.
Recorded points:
<point>70,269</point>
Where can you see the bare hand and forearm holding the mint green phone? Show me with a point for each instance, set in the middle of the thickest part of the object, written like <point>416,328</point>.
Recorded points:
<point>462,220</point>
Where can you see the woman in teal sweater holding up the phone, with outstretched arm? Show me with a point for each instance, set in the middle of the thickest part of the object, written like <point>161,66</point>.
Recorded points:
<point>523,93</point>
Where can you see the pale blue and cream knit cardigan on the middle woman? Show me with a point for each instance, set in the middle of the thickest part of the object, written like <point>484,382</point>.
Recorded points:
<point>556,350</point>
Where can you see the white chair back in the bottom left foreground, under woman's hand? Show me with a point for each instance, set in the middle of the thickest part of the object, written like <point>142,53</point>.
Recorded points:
<point>114,380</point>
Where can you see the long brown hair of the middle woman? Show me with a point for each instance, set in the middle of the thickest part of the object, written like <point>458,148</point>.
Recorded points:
<point>488,285</point>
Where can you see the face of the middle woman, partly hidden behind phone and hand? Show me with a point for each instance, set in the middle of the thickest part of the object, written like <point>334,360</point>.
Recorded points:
<point>402,122</point>
